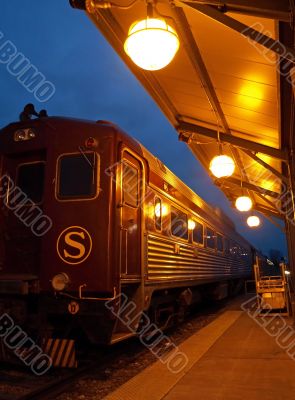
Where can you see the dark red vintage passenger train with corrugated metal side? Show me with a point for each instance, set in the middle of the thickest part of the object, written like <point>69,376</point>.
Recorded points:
<point>87,213</point>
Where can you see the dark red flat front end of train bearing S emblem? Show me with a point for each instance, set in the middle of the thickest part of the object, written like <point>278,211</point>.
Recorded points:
<point>57,266</point>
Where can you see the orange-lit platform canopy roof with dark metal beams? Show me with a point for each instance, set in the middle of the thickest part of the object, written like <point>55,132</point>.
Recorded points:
<point>228,82</point>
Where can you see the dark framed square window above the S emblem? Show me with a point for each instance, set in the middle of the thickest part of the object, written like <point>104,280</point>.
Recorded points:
<point>77,176</point>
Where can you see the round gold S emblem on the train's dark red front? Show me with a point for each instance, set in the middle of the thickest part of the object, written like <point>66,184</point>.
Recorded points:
<point>74,245</point>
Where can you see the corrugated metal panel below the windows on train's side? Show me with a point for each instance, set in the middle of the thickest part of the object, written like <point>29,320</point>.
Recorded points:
<point>190,263</point>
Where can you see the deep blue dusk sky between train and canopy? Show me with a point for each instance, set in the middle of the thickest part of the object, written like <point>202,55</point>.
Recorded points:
<point>91,82</point>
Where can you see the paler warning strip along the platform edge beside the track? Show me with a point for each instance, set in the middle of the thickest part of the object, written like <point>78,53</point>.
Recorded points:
<point>157,380</point>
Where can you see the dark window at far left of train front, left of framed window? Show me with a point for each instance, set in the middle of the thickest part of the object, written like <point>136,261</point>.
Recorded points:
<point>30,179</point>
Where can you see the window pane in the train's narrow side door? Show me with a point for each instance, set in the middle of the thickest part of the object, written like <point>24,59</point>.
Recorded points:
<point>130,185</point>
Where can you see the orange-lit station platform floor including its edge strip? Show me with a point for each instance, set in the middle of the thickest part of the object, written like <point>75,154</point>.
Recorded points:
<point>232,358</point>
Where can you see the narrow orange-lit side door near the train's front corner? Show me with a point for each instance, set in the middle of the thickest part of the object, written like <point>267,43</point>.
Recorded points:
<point>130,226</point>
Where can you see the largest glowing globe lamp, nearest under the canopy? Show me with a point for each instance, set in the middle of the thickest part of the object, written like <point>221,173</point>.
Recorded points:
<point>151,44</point>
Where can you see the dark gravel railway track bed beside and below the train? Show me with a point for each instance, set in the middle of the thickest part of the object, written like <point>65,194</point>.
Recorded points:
<point>102,371</point>
